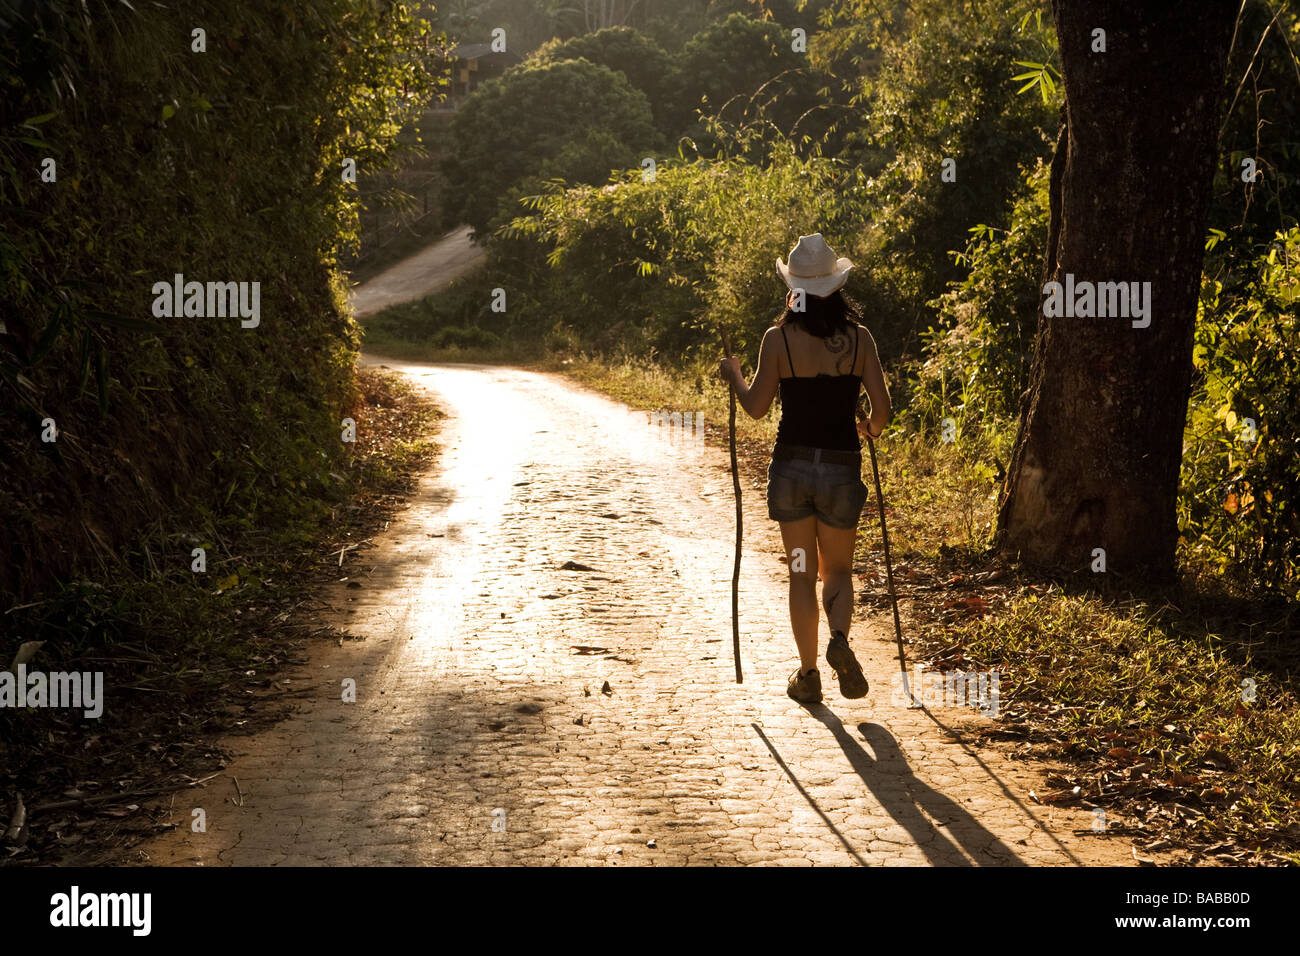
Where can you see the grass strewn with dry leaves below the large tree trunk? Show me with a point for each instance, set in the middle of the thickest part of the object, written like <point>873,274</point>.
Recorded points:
<point>1181,716</point>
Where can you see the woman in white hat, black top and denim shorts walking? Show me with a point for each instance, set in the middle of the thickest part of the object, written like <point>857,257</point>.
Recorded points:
<point>820,358</point>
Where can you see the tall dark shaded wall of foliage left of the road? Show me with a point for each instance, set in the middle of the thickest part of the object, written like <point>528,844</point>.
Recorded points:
<point>222,166</point>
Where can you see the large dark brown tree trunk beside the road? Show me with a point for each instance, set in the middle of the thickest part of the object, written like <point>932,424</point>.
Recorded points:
<point>1097,461</point>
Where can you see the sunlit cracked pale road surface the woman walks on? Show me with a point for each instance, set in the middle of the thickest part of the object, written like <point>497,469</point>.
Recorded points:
<point>483,732</point>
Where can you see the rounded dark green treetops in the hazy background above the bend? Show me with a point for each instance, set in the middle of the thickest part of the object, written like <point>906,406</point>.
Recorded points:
<point>558,116</point>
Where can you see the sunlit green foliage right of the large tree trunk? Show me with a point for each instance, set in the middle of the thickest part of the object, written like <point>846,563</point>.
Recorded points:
<point>1240,499</point>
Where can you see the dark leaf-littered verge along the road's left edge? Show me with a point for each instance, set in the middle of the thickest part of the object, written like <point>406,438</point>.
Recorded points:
<point>189,657</point>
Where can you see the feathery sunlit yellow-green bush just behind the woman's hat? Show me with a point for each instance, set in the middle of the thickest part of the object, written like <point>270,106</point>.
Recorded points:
<point>662,265</point>
